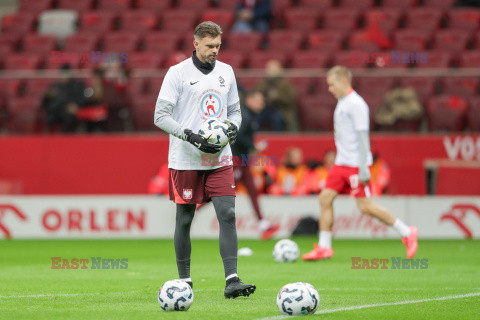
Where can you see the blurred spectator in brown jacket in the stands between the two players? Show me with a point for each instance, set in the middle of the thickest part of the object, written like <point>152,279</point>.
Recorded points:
<point>280,95</point>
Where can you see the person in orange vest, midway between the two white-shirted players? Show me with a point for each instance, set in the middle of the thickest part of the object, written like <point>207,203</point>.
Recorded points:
<point>289,175</point>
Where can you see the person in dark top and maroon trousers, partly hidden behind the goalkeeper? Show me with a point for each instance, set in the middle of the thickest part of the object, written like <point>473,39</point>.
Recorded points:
<point>244,147</point>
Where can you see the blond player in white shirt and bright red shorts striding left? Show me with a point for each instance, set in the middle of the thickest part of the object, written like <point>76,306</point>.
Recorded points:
<point>351,172</point>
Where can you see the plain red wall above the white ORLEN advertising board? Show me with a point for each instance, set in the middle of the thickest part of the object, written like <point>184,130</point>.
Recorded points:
<point>124,164</point>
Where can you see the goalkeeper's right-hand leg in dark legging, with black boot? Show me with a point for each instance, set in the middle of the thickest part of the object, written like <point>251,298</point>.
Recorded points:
<point>225,210</point>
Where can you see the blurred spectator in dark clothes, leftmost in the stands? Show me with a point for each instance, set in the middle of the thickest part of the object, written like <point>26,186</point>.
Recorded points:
<point>63,101</point>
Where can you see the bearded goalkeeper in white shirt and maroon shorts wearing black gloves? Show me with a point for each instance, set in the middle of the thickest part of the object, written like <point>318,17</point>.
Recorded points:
<point>197,89</point>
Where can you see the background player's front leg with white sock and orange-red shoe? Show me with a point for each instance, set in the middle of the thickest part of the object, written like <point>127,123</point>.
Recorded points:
<point>324,248</point>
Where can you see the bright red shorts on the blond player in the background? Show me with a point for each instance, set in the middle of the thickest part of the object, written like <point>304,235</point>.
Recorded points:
<point>345,180</point>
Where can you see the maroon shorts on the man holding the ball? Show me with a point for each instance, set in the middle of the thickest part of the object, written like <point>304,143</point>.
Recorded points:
<point>199,186</point>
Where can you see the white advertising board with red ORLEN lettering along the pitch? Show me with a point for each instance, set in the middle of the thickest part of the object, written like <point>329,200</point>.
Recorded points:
<point>50,217</point>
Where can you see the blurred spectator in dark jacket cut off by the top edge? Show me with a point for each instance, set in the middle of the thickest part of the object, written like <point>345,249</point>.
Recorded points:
<point>252,15</point>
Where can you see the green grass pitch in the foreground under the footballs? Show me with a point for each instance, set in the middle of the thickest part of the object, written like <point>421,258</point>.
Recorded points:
<point>31,289</point>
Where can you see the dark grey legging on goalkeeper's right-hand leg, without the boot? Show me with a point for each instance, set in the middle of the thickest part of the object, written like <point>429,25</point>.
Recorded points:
<point>225,210</point>
